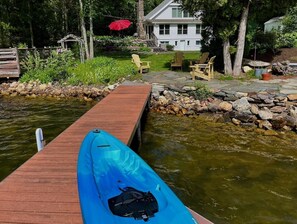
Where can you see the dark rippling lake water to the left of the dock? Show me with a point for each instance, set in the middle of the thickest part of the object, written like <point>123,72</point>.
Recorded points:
<point>19,118</point>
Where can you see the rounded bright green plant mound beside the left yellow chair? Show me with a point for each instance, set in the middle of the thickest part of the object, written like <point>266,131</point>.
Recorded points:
<point>100,70</point>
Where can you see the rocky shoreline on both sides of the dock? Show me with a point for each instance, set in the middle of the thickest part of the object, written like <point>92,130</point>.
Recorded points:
<point>264,110</point>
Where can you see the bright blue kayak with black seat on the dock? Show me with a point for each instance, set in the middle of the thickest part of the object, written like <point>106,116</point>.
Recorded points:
<point>117,187</point>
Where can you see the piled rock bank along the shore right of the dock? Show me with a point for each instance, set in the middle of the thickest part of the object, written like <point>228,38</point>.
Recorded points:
<point>269,111</point>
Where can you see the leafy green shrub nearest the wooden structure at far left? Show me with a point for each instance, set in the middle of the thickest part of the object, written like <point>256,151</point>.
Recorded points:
<point>54,68</point>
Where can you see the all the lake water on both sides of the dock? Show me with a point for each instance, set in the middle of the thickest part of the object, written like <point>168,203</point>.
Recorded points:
<point>226,173</point>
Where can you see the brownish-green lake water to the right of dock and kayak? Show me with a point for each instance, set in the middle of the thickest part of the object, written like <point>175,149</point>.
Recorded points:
<point>227,174</point>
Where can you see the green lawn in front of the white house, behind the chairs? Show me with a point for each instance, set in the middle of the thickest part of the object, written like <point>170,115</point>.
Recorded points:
<point>159,61</point>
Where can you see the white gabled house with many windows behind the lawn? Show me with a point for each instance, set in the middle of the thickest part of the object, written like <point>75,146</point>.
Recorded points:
<point>169,24</point>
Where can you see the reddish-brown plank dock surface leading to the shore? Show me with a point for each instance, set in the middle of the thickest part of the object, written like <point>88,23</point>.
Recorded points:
<point>44,189</point>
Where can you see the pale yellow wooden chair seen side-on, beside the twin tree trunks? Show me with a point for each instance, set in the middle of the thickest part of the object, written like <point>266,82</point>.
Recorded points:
<point>204,71</point>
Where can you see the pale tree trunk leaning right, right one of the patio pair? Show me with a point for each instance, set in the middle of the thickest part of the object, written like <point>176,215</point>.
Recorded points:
<point>241,41</point>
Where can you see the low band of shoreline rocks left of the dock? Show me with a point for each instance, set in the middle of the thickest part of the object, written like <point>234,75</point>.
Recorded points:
<point>34,89</point>
